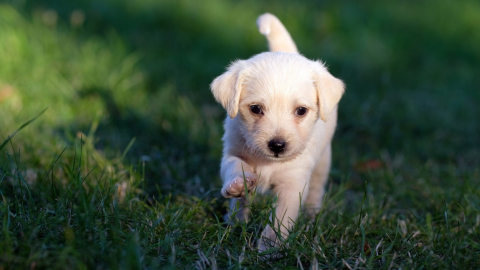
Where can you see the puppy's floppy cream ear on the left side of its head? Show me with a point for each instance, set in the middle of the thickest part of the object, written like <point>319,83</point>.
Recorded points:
<point>227,87</point>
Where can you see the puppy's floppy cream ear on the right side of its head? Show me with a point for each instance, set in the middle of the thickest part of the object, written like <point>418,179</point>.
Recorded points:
<point>329,89</point>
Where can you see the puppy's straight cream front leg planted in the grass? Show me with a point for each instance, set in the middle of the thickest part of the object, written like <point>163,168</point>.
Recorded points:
<point>291,192</point>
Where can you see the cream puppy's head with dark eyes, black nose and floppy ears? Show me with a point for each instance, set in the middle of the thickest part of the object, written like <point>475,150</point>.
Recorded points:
<point>278,97</point>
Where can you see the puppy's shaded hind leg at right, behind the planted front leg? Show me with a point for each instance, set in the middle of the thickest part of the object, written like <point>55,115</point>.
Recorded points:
<point>317,182</point>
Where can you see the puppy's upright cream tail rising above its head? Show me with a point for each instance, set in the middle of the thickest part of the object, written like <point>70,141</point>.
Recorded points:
<point>279,40</point>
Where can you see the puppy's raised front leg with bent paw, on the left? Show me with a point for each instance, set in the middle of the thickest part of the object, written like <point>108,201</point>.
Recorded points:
<point>233,170</point>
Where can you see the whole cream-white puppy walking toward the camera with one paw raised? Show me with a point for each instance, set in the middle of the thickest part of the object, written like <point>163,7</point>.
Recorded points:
<point>282,113</point>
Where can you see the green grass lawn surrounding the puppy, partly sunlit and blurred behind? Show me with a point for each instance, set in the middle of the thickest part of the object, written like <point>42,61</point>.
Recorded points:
<point>121,170</point>
